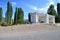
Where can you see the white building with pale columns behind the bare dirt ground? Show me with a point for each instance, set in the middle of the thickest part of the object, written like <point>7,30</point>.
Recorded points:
<point>42,18</point>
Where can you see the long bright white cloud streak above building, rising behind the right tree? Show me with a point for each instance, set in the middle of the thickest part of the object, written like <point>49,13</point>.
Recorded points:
<point>45,8</point>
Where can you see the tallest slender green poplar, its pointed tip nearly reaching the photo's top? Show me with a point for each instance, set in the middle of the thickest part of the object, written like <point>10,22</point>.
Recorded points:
<point>9,13</point>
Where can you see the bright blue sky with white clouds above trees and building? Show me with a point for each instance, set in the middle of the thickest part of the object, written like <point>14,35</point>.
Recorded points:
<point>29,6</point>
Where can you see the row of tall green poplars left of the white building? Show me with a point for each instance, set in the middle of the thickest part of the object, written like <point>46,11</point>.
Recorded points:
<point>18,16</point>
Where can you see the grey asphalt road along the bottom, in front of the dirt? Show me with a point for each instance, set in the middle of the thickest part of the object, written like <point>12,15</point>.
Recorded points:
<point>48,35</point>
